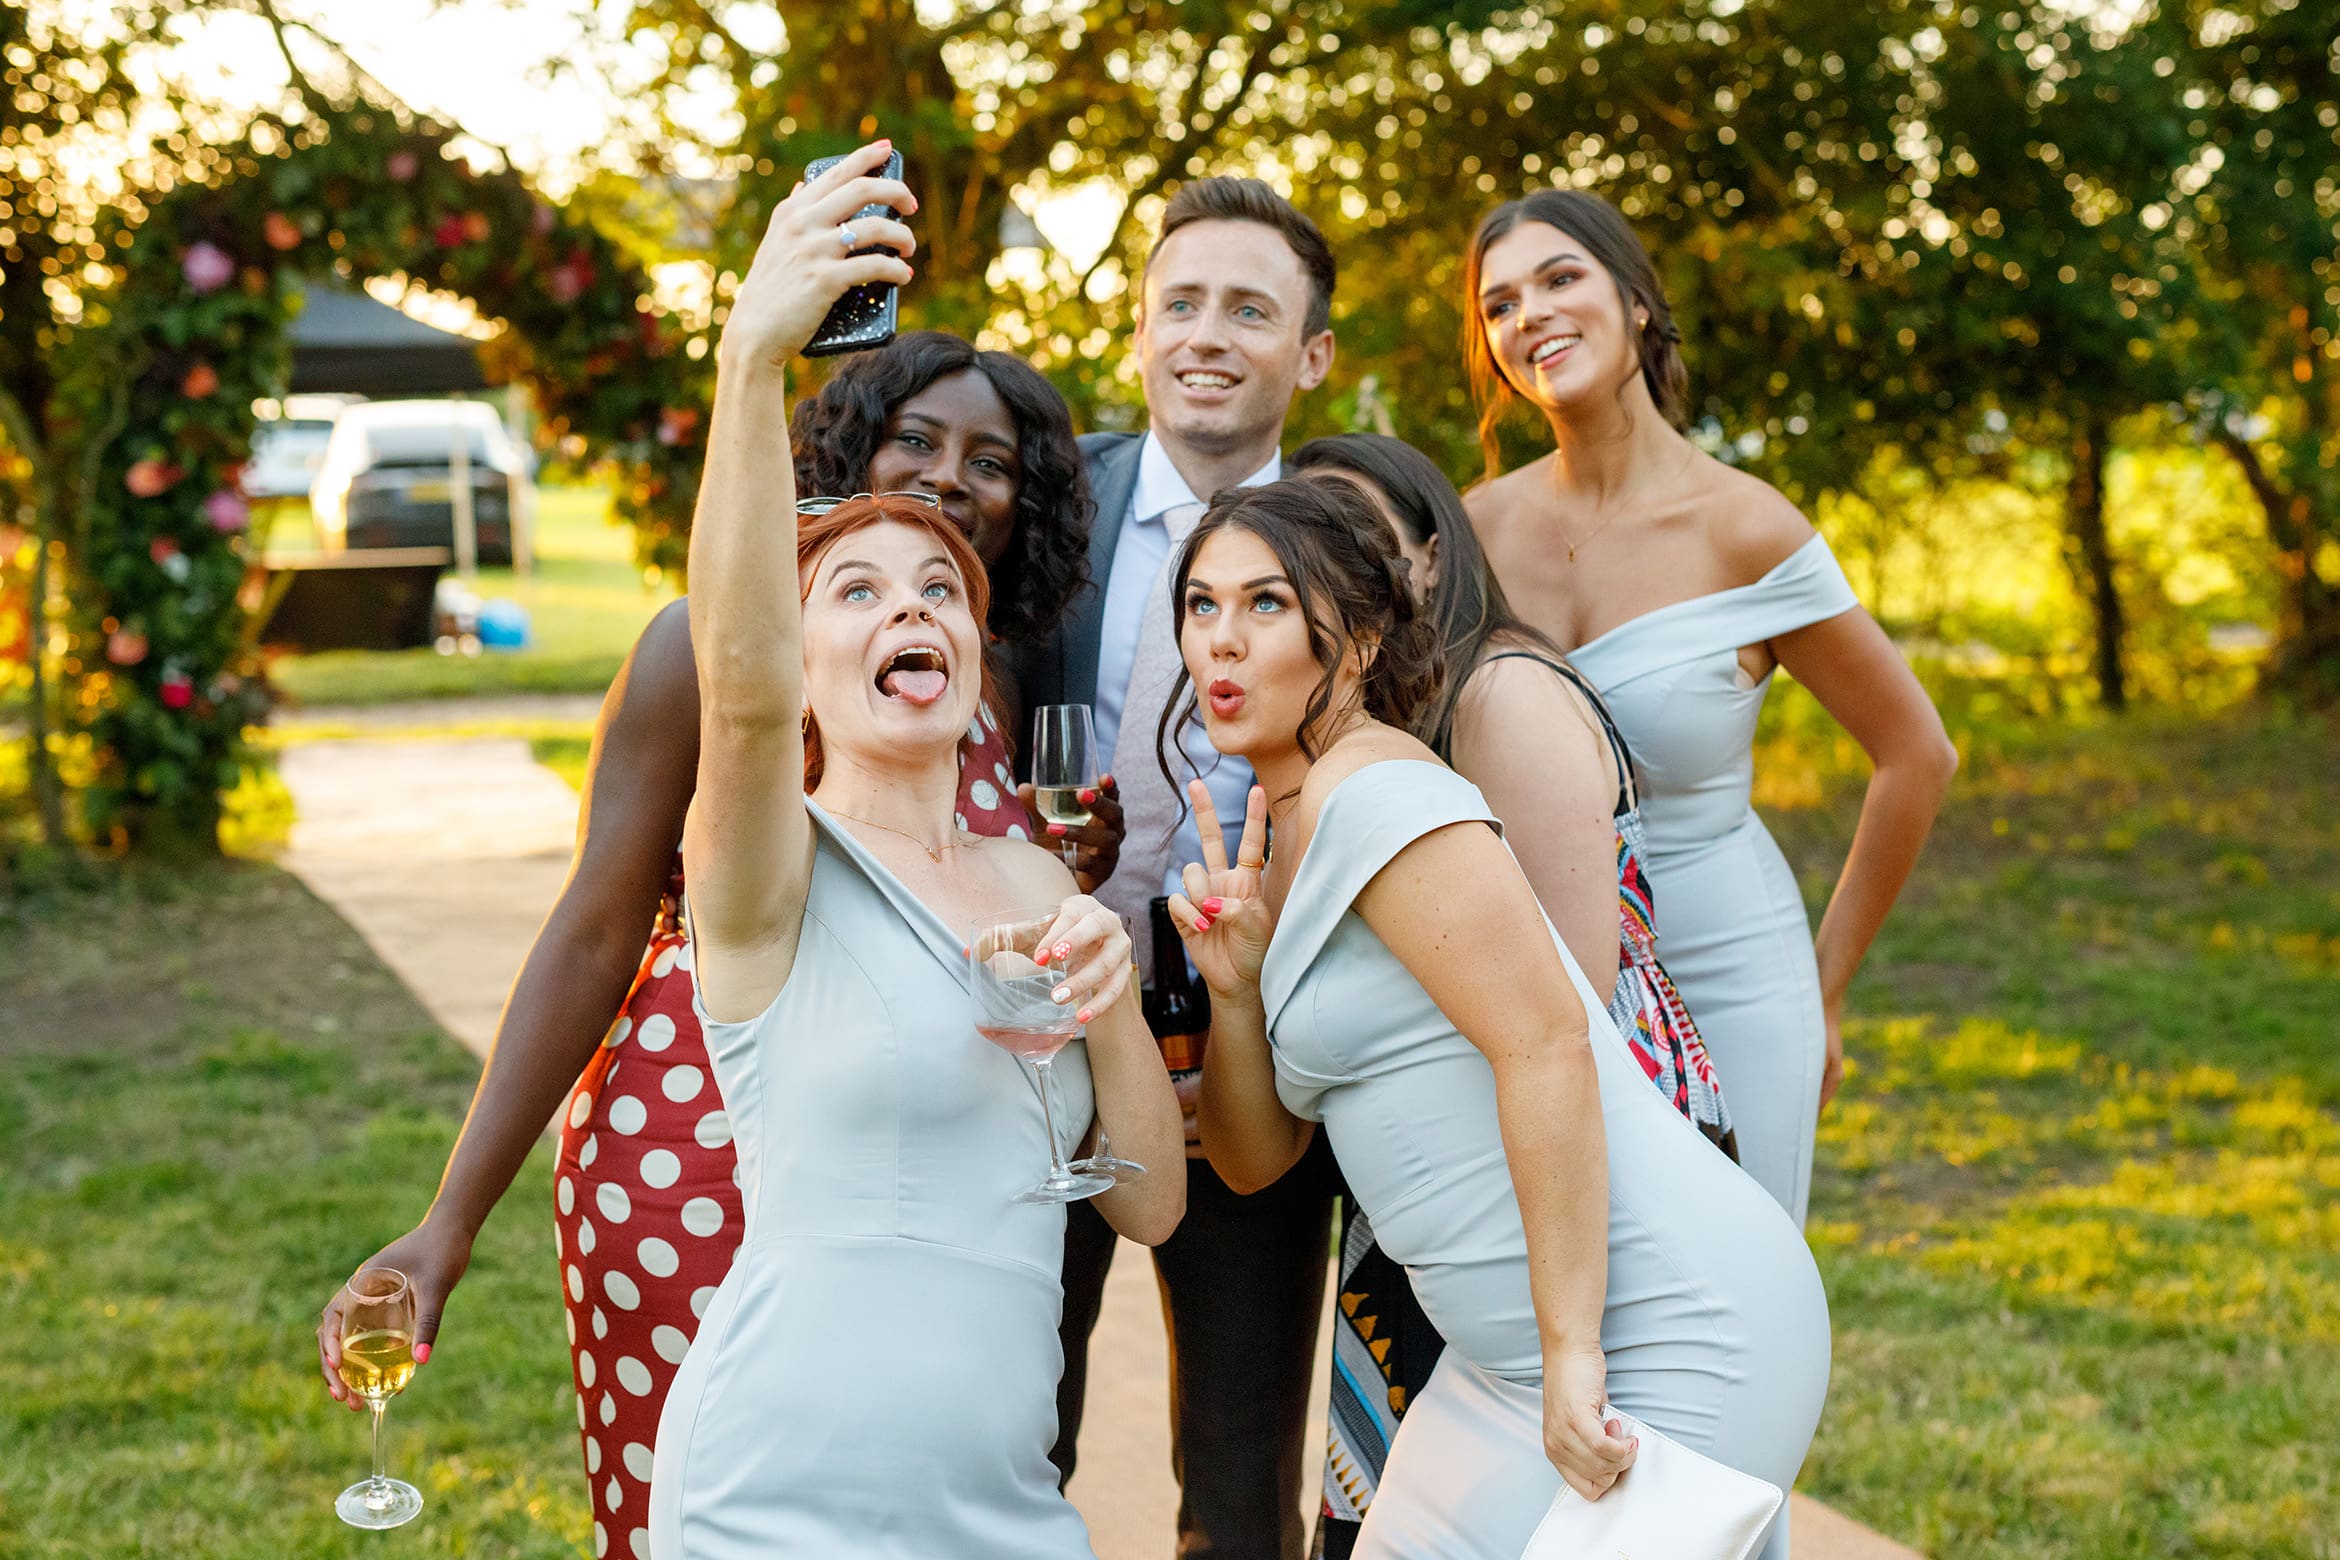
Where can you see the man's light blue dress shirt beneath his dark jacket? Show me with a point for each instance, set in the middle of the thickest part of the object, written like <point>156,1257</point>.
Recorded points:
<point>1138,560</point>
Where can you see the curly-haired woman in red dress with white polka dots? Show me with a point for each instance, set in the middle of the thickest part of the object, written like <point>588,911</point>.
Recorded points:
<point>645,1194</point>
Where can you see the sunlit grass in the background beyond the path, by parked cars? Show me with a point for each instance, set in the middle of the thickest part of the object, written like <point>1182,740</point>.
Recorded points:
<point>586,605</point>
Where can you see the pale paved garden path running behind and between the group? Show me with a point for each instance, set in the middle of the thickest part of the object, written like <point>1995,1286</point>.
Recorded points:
<point>446,857</point>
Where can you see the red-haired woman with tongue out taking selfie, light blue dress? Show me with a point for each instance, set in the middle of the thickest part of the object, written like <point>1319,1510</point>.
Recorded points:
<point>876,1374</point>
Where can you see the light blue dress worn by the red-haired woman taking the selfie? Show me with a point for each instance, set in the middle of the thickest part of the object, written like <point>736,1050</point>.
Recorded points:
<point>876,1376</point>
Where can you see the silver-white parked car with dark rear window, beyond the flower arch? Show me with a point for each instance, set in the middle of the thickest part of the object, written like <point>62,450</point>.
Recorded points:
<point>390,478</point>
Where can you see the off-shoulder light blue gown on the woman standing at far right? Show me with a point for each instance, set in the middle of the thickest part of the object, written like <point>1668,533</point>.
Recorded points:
<point>1735,932</point>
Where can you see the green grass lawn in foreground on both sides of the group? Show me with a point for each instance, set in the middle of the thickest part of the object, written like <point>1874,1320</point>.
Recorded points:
<point>2079,1203</point>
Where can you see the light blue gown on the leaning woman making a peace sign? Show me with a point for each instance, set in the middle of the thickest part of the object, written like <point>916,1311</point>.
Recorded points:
<point>1716,1330</point>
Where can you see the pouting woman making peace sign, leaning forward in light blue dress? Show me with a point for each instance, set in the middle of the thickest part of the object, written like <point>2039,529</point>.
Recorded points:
<point>1389,976</point>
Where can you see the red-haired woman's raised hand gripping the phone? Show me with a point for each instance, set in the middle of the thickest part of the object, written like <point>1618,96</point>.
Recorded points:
<point>820,247</point>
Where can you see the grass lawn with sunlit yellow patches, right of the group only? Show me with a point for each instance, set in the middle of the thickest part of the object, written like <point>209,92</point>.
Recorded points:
<point>2079,1203</point>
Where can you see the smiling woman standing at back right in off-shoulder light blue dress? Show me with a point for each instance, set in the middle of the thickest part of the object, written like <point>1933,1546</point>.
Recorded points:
<point>1679,586</point>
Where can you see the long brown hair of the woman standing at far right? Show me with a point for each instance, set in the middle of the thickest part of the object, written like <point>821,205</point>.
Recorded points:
<point>1618,251</point>
